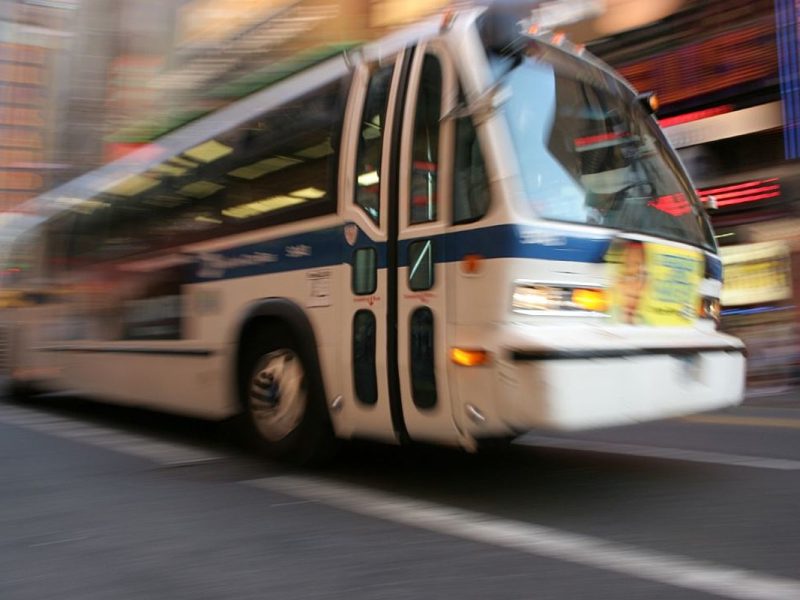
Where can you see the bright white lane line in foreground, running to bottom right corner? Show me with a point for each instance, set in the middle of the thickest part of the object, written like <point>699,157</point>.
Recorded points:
<point>541,541</point>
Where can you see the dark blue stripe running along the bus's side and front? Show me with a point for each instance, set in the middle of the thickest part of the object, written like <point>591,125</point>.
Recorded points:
<point>327,248</point>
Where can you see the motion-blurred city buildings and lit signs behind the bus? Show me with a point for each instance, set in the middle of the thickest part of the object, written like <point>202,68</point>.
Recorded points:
<point>83,82</point>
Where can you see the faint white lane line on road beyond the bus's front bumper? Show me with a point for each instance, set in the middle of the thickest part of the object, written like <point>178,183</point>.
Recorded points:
<point>700,456</point>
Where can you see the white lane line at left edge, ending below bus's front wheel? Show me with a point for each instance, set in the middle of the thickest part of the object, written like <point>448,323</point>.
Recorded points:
<point>158,451</point>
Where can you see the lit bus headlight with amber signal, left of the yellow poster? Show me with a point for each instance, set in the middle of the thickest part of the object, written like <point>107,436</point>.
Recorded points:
<point>534,298</point>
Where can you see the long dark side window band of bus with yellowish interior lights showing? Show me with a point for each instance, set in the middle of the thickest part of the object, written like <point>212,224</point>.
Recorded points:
<point>273,168</point>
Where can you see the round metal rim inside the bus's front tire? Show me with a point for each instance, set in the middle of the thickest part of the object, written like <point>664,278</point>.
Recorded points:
<point>277,395</point>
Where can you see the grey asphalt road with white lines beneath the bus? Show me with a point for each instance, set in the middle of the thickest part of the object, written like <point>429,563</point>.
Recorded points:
<point>100,502</point>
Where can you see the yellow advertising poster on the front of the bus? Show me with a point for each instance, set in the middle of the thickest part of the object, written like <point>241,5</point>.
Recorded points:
<point>654,284</point>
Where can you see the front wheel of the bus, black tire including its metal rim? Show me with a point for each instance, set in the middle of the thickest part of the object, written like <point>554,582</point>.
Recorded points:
<point>304,435</point>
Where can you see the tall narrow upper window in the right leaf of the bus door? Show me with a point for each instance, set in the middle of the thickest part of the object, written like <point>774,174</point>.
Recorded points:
<point>425,150</point>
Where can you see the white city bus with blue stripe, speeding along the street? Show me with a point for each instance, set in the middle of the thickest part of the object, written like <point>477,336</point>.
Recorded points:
<point>453,235</point>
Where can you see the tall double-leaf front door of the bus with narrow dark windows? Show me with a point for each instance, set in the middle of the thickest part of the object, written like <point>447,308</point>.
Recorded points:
<point>393,197</point>
